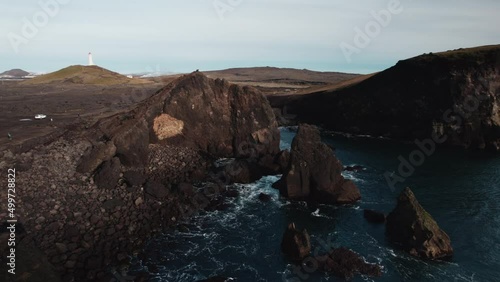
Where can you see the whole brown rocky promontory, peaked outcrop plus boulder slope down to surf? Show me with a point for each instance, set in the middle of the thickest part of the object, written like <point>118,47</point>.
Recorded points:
<point>91,197</point>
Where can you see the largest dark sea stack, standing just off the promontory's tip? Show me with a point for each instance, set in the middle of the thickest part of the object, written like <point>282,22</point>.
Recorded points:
<point>314,173</point>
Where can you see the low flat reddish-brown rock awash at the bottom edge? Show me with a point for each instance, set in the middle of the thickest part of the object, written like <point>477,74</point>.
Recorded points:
<point>345,263</point>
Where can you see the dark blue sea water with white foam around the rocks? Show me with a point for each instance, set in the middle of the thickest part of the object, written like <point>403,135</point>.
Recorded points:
<point>461,190</point>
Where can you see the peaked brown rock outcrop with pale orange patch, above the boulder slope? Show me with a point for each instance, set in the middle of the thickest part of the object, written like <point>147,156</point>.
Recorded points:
<point>211,116</point>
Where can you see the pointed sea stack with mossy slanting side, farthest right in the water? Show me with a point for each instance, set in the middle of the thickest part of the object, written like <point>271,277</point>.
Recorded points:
<point>410,226</point>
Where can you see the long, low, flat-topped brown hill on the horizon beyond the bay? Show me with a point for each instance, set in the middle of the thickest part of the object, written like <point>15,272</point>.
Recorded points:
<point>280,75</point>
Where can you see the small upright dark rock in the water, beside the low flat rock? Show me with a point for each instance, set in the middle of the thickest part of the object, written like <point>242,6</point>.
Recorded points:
<point>296,244</point>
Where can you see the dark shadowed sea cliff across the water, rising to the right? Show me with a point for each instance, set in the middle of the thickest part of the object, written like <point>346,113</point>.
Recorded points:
<point>453,95</point>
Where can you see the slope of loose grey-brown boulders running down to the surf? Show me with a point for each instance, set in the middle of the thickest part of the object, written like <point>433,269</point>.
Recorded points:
<point>82,228</point>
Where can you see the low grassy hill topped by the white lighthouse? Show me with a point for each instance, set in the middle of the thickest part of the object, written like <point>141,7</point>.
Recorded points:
<point>78,74</point>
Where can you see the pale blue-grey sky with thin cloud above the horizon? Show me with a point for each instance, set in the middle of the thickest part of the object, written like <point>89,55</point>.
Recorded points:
<point>161,36</point>
